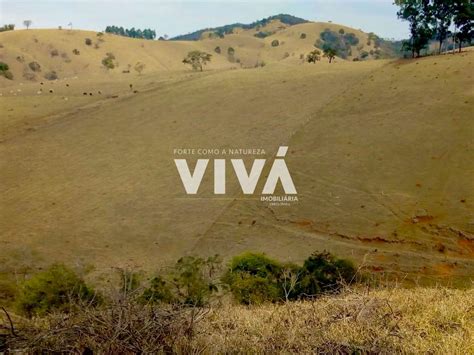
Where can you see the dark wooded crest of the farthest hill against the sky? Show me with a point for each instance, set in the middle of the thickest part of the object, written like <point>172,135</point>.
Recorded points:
<point>227,29</point>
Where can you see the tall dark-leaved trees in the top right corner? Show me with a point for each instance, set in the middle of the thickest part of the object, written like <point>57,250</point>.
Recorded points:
<point>433,19</point>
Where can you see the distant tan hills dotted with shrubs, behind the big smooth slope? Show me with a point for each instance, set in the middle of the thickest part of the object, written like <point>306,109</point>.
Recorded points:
<point>39,55</point>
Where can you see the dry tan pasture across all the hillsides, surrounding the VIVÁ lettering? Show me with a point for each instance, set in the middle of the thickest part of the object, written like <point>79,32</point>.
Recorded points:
<point>381,153</point>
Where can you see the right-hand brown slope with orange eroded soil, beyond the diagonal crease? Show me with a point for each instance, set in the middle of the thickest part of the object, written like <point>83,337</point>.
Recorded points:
<point>385,170</point>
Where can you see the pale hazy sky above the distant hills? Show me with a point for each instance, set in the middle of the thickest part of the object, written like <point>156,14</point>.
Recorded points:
<point>179,17</point>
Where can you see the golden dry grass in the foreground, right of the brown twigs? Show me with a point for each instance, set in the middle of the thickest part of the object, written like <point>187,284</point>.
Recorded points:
<point>418,320</point>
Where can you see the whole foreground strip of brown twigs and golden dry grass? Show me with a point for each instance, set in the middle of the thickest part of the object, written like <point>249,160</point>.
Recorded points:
<point>418,320</point>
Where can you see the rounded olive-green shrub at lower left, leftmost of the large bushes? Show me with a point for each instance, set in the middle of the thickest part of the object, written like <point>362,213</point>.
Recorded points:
<point>56,288</point>
